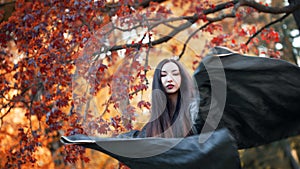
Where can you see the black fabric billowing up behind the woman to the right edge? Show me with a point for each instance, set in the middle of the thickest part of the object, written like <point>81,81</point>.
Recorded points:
<point>262,102</point>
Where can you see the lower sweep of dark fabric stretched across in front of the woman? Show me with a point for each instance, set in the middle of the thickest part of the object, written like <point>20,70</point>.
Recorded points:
<point>218,152</point>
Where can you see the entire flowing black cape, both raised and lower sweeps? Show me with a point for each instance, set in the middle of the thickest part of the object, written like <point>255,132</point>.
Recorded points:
<point>257,99</point>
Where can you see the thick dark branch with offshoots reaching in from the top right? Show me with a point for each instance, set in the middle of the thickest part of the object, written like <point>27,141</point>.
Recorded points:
<point>192,19</point>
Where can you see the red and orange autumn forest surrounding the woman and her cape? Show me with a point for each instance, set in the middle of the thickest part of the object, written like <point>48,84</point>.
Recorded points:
<point>70,67</point>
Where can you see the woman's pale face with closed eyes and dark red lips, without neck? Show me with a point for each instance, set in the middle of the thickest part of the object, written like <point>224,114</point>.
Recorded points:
<point>170,77</point>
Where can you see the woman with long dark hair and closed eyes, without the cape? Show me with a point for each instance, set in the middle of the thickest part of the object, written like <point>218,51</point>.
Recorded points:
<point>173,96</point>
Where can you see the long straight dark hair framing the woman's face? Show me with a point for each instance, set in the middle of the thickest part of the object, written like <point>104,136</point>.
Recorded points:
<point>161,124</point>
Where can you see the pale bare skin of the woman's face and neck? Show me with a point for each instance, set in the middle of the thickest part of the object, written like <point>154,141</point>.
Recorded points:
<point>171,81</point>
